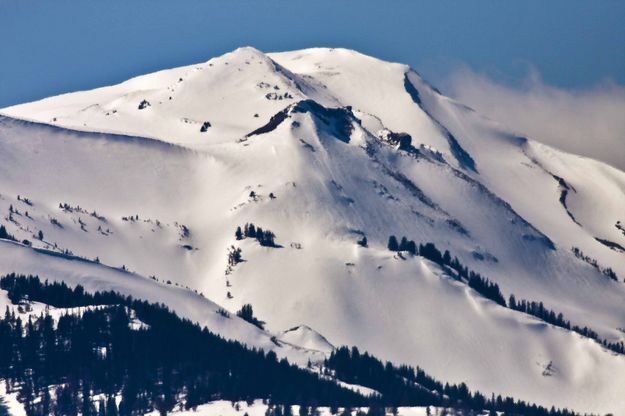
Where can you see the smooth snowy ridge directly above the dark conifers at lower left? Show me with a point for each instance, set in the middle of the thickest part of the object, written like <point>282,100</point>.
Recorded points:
<point>97,277</point>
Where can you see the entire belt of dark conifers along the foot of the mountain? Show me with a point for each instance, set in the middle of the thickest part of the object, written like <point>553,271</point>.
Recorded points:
<point>90,357</point>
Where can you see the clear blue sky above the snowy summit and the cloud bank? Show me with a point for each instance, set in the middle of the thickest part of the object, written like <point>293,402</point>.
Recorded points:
<point>60,46</point>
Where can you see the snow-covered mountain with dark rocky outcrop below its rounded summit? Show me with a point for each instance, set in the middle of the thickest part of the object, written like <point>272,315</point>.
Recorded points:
<point>324,147</point>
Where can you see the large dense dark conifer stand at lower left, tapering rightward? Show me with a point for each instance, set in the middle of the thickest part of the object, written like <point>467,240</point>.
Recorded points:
<point>166,361</point>
